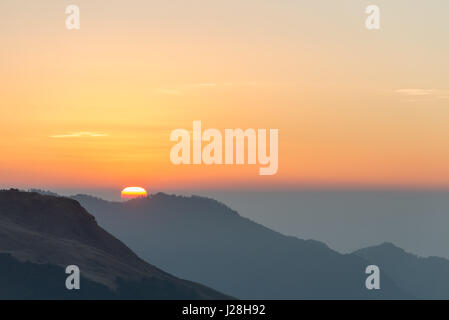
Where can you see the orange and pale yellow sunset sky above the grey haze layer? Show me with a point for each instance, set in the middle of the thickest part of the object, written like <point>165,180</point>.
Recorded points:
<point>94,108</point>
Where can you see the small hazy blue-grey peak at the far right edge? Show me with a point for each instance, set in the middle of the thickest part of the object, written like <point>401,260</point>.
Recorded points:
<point>424,278</point>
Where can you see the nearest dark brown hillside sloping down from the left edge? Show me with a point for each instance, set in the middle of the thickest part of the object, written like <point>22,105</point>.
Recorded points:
<point>40,235</point>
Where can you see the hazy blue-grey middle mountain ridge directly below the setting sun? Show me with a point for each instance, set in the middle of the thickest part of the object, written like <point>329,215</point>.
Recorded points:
<point>203,240</point>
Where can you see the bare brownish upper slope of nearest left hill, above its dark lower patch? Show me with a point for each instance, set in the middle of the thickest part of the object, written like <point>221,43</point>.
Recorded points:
<point>45,229</point>
